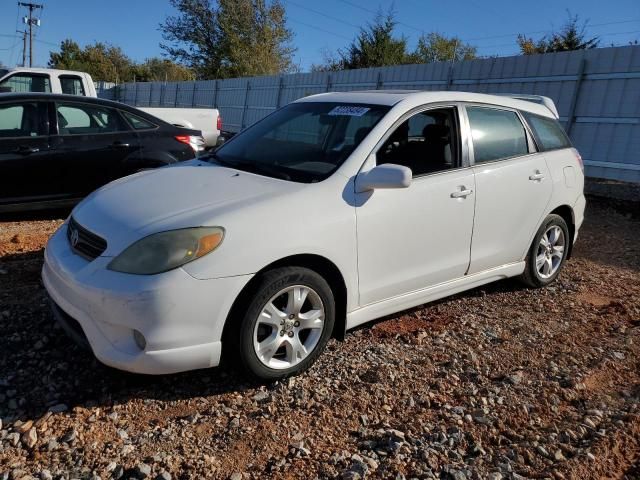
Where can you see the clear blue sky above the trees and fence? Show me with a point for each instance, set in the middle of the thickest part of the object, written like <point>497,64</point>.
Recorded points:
<point>319,27</point>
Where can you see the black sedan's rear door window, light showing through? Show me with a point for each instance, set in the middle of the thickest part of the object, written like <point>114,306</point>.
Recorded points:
<point>85,119</point>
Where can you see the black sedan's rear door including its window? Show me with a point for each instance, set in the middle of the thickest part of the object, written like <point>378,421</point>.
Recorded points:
<point>92,146</point>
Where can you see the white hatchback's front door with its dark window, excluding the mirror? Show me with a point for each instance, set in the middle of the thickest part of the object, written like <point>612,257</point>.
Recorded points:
<point>420,236</point>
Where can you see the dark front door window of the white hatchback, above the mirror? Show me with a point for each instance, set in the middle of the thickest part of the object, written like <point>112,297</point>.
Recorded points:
<point>426,142</point>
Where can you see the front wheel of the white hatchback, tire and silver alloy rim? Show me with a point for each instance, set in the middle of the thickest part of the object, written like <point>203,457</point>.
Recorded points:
<point>271,331</point>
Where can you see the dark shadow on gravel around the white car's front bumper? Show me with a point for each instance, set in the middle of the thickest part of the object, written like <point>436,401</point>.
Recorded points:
<point>42,368</point>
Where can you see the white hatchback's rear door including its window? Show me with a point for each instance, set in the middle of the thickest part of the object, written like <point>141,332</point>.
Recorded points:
<point>513,187</point>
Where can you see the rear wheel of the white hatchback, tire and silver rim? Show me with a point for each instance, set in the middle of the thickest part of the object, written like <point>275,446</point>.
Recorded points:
<point>538,273</point>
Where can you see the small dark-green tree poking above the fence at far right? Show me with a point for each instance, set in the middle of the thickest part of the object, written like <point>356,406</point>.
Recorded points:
<point>572,36</point>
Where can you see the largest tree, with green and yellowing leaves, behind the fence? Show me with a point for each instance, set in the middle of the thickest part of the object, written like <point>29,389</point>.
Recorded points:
<point>233,38</point>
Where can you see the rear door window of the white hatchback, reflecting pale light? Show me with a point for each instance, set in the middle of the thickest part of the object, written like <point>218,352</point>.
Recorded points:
<point>496,134</point>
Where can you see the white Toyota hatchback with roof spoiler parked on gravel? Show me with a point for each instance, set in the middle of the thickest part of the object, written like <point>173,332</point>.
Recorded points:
<point>333,211</point>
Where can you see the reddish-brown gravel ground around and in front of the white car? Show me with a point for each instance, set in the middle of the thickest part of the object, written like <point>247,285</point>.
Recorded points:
<point>500,382</point>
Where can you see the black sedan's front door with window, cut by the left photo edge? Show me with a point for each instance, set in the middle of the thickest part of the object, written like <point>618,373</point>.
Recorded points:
<point>27,173</point>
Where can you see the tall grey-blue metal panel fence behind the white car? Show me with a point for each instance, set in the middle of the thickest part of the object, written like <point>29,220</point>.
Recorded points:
<point>597,93</point>
